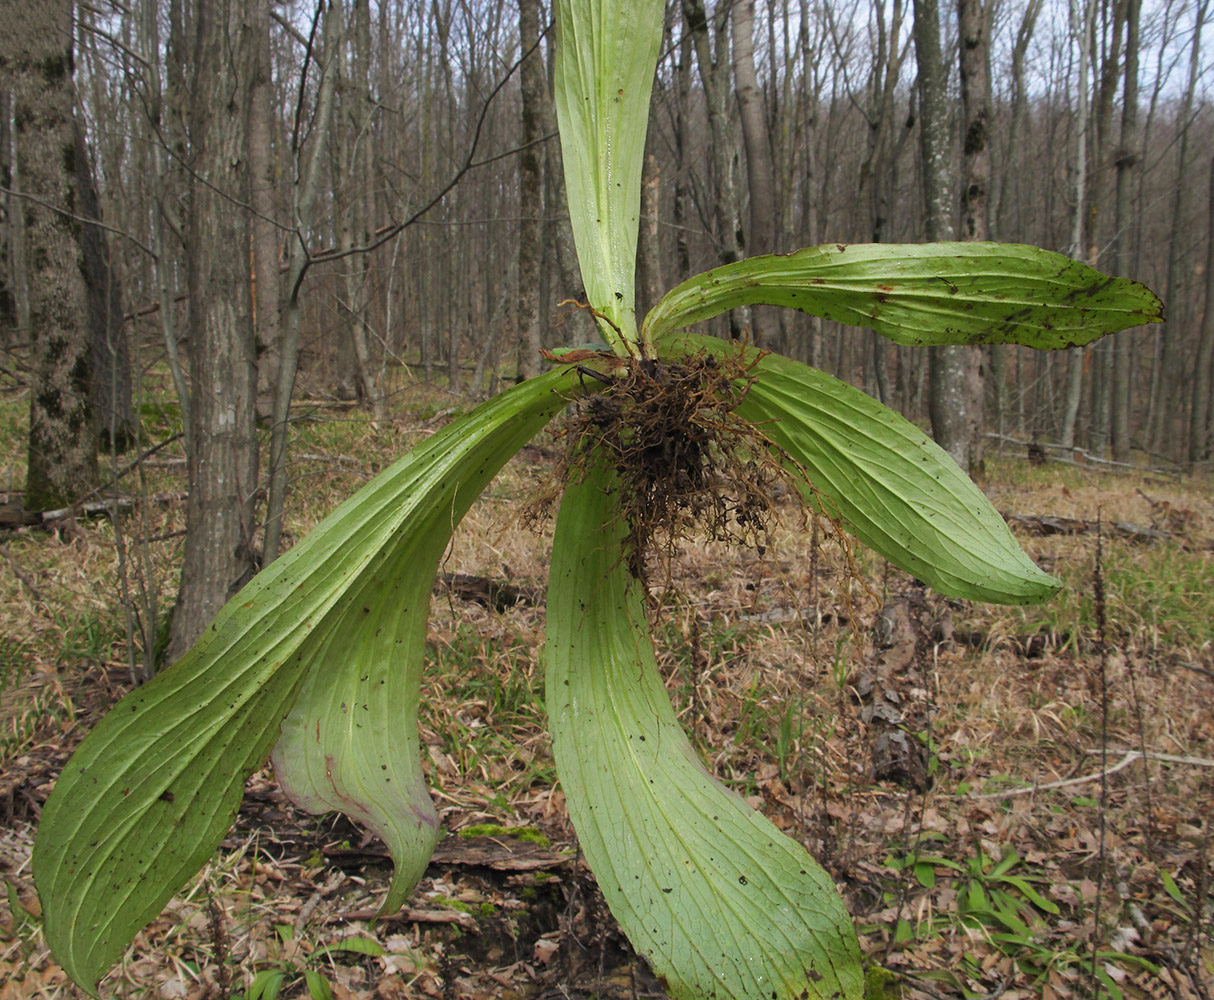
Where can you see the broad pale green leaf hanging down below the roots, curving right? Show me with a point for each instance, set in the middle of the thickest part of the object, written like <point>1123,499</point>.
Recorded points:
<point>719,901</point>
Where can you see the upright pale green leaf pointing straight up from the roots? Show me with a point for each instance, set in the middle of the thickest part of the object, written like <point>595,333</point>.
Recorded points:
<point>606,54</point>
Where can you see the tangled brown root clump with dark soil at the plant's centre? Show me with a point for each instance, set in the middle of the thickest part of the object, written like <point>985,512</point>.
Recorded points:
<point>688,465</point>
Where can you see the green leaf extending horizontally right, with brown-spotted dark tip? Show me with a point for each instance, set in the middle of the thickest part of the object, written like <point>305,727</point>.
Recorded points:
<point>924,294</point>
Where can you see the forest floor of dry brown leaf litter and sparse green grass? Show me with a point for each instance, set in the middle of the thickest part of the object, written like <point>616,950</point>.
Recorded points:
<point>1011,803</point>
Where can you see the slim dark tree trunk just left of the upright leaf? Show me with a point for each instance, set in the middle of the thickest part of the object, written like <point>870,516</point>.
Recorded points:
<point>531,192</point>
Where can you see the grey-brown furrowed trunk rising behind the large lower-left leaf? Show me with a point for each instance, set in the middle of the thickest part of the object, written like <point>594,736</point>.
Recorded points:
<point>223,465</point>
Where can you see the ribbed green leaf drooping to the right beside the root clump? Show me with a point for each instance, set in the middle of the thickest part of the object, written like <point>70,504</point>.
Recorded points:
<point>886,481</point>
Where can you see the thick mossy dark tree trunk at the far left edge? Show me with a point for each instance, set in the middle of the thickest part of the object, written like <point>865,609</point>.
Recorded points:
<point>36,65</point>
